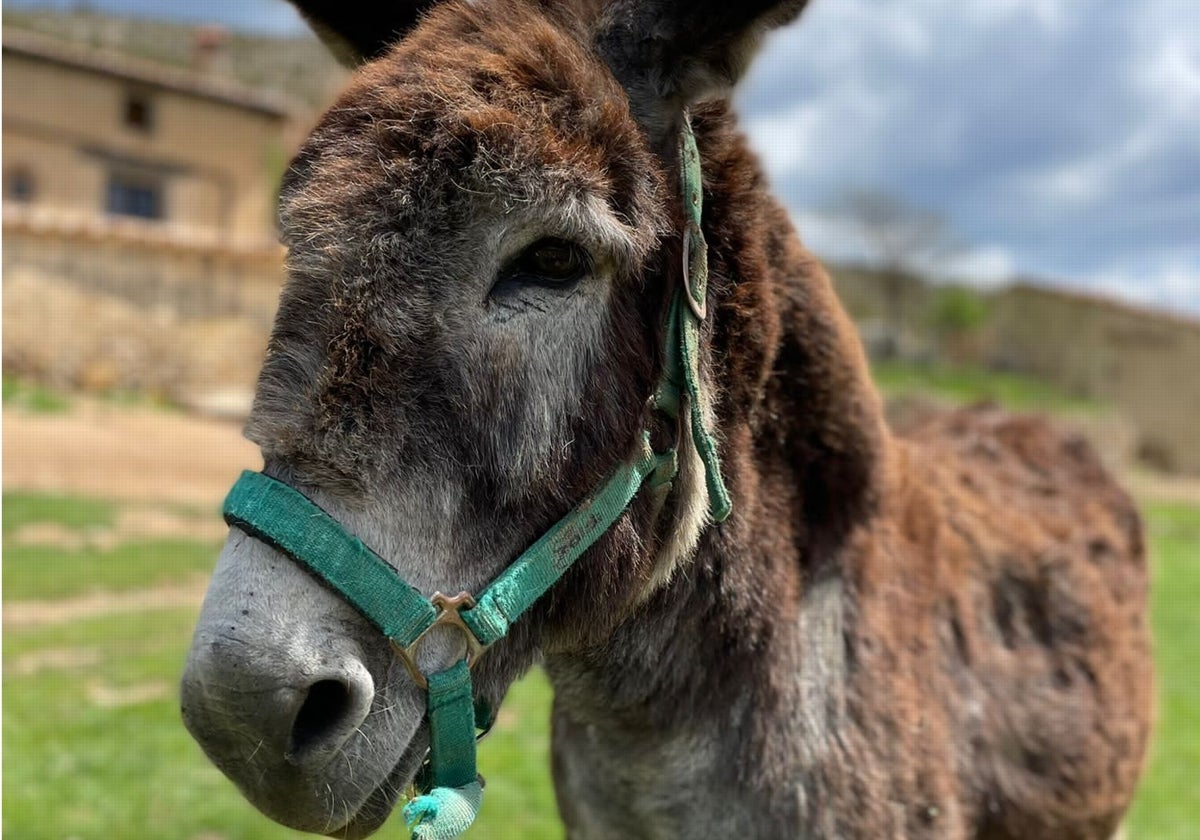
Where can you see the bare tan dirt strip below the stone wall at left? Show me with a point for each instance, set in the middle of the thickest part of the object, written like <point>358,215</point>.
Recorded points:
<point>125,454</point>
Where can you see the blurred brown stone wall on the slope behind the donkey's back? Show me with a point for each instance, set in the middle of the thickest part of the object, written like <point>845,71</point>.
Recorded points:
<point>1144,364</point>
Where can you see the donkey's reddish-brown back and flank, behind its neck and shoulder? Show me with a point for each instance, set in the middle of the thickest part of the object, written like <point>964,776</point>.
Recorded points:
<point>1000,643</point>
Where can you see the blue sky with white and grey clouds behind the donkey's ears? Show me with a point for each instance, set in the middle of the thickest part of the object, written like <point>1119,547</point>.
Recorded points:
<point>1059,140</point>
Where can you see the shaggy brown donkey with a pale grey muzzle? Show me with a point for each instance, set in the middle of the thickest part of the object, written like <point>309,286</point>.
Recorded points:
<point>935,634</point>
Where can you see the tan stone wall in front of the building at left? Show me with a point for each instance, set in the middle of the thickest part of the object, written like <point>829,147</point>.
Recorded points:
<point>113,307</point>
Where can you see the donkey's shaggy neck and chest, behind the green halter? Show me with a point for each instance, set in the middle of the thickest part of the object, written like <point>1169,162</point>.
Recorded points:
<point>730,677</point>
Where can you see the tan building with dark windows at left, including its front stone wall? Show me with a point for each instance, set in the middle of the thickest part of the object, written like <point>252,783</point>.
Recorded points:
<point>140,242</point>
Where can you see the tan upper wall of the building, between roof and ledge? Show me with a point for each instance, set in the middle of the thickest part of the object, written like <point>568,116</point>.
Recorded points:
<point>67,128</point>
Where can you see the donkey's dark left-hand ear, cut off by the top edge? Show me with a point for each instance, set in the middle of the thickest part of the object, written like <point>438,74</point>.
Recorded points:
<point>358,32</point>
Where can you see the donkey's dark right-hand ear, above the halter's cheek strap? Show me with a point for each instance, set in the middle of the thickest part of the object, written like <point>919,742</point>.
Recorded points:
<point>671,53</point>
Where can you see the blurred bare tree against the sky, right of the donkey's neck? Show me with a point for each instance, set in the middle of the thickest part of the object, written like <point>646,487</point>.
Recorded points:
<point>903,242</point>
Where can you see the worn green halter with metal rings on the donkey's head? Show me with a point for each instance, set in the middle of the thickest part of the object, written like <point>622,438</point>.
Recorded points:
<point>451,789</point>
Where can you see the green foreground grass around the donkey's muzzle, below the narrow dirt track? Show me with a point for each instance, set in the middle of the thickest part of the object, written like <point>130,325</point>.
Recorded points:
<point>77,770</point>
